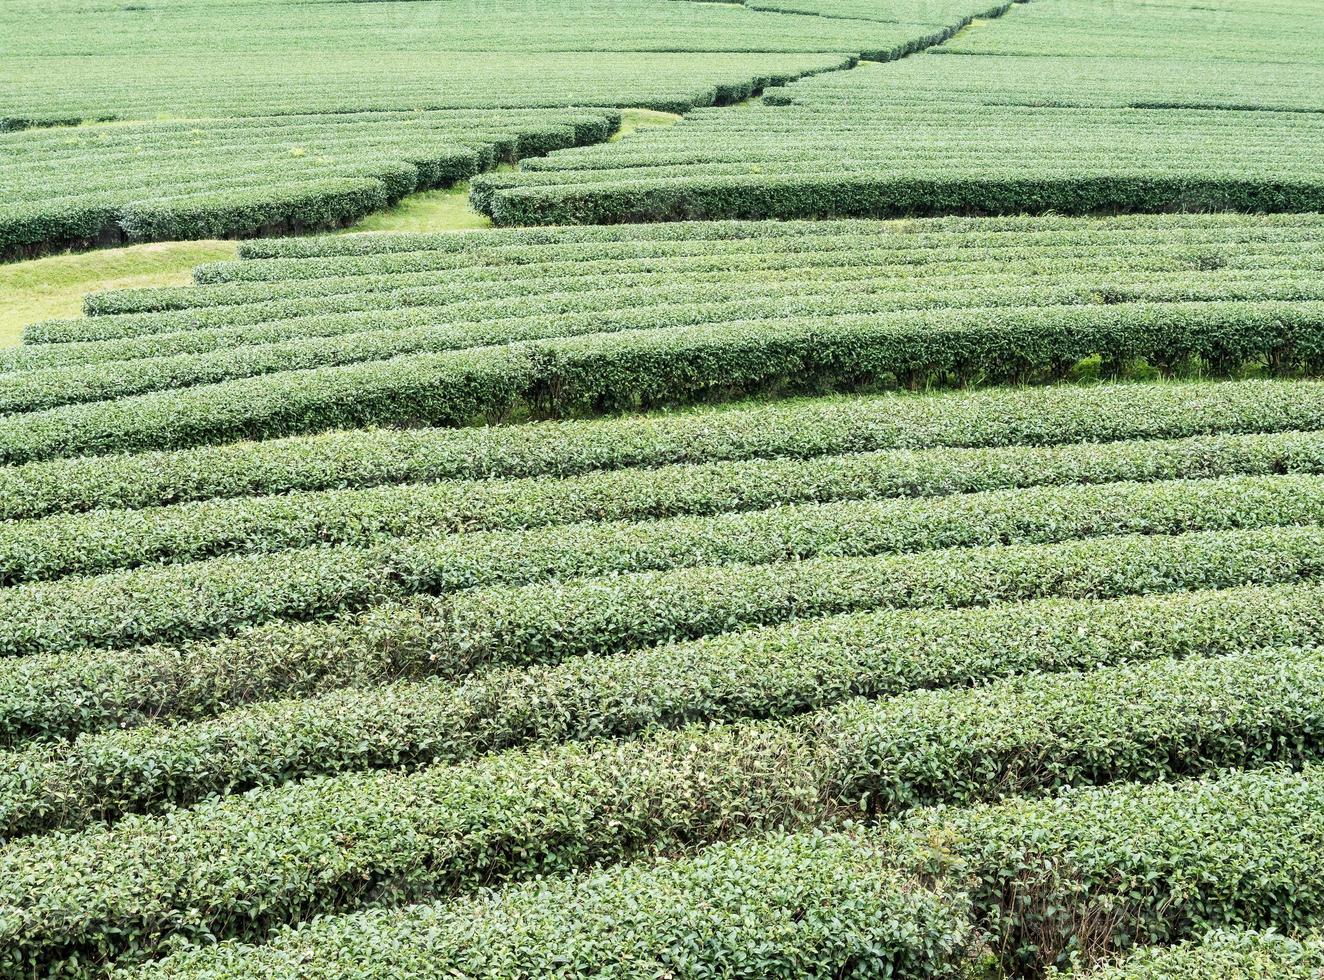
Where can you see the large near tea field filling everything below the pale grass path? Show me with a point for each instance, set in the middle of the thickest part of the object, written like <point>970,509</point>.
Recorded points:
<point>256,683</point>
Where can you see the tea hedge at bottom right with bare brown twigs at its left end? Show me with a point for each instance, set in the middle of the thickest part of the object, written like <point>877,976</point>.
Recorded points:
<point>1098,871</point>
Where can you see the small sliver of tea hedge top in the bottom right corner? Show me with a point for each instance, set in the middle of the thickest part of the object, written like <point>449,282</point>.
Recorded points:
<point>1227,955</point>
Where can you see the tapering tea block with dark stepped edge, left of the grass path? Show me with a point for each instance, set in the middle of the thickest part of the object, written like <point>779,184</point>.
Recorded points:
<point>169,181</point>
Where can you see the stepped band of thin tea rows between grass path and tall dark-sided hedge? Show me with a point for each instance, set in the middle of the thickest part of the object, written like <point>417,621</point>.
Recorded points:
<point>346,309</point>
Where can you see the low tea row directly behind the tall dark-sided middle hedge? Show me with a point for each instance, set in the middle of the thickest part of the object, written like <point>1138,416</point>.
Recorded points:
<point>72,374</point>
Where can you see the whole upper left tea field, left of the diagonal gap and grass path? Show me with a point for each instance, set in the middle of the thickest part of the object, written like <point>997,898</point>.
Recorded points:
<point>379,100</point>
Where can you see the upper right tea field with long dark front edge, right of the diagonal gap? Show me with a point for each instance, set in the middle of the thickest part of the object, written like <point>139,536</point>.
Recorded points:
<point>1078,109</point>
